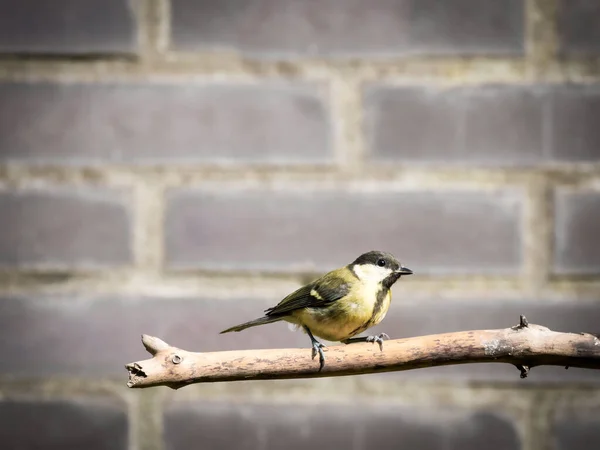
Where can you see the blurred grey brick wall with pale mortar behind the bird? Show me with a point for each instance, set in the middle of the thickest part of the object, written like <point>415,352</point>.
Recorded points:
<point>173,168</point>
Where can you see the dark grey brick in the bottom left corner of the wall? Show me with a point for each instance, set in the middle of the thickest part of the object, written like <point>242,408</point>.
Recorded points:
<point>92,424</point>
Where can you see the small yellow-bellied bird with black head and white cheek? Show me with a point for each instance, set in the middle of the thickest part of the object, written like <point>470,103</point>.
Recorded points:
<point>341,303</point>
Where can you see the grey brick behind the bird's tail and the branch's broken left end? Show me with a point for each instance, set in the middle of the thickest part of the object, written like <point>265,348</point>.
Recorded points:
<point>49,335</point>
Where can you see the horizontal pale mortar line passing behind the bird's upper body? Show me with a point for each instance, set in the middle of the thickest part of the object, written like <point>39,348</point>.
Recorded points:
<point>225,286</point>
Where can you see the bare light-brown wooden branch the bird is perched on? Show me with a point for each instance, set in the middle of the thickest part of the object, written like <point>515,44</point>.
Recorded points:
<point>525,346</point>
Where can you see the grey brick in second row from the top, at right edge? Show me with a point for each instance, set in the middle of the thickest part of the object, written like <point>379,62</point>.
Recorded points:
<point>493,125</point>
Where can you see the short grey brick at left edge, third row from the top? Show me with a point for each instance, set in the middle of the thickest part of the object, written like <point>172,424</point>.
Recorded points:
<point>77,228</point>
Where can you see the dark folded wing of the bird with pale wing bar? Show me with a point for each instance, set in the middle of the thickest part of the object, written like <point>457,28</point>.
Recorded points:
<point>319,293</point>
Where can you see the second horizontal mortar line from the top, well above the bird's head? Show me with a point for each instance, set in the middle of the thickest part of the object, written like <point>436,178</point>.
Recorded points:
<point>19,174</point>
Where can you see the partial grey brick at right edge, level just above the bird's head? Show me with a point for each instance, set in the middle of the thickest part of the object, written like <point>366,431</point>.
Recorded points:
<point>576,244</point>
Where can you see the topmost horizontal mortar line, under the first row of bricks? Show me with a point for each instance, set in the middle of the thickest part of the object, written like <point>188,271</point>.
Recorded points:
<point>157,63</point>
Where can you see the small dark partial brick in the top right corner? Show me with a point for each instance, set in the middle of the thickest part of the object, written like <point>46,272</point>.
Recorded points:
<point>578,26</point>
